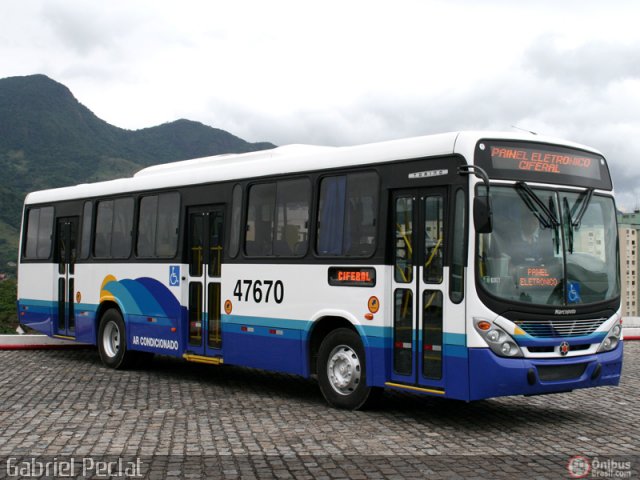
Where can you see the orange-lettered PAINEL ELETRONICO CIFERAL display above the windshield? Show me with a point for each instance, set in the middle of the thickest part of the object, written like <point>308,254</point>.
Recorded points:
<point>547,161</point>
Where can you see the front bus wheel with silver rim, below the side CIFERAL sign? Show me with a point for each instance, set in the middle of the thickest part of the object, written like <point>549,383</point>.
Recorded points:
<point>342,371</point>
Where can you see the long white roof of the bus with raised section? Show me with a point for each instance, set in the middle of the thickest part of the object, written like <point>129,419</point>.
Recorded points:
<point>281,160</point>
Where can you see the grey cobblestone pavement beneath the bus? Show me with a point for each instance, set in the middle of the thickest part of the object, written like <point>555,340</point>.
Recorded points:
<point>63,411</point>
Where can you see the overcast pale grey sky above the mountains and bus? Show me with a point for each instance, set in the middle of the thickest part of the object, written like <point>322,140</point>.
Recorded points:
<point>347,71</point>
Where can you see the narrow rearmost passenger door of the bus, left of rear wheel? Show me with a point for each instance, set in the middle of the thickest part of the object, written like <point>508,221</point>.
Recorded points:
<point>66,254</point>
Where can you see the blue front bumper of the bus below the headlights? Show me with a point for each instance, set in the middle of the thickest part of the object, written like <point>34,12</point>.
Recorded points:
<point>494,376</point>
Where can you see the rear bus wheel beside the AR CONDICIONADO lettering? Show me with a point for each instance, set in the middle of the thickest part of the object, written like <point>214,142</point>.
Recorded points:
<point>112,341</point>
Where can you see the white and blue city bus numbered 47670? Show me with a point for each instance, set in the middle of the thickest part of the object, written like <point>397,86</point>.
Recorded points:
<point>463,265</point>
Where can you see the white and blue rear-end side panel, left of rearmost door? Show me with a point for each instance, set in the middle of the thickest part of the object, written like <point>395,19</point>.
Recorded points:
<point>37,305</point>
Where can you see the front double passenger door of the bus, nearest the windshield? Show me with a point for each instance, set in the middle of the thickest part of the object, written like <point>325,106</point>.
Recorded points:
<point>419,285</point>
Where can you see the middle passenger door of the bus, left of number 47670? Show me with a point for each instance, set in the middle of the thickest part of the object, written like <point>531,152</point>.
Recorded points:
<point>205,244</point>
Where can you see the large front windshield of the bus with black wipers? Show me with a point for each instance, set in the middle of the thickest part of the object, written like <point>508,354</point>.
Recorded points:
<point>549,247</point>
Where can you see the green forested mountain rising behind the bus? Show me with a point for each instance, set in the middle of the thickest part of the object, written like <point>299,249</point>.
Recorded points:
<point>49,139</point>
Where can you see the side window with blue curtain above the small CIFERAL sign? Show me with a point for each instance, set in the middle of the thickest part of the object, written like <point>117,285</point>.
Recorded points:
<point>348,215</point>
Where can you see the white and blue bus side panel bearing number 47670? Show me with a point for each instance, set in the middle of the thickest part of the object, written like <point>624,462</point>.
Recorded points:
<point>272,309</point>
